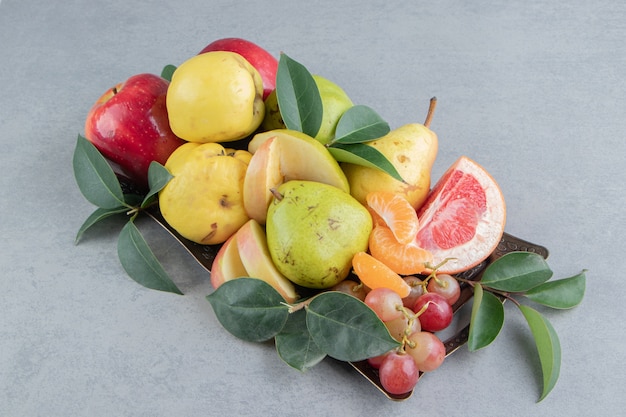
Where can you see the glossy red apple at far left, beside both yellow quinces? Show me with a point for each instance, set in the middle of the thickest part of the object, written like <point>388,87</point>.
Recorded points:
<point>128,124</point>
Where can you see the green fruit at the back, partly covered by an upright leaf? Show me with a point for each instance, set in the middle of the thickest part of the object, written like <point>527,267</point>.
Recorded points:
<point>335,102</point>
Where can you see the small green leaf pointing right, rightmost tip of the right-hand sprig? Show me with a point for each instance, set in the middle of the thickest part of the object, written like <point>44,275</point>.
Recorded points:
<point>563,293</point>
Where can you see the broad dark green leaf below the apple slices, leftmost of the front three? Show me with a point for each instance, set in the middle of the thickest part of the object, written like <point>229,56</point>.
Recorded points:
<point>249,309</point>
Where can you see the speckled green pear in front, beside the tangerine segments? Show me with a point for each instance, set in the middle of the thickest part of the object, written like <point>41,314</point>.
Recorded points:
<point>313,231</point>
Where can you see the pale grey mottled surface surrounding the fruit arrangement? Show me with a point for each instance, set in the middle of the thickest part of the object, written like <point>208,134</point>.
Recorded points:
<point>535,91</point>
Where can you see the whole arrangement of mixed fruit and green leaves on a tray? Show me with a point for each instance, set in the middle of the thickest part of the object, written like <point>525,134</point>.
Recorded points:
<point>316,220</point>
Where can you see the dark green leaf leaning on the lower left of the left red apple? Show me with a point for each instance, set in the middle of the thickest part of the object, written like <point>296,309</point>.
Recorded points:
<point>95,177</point>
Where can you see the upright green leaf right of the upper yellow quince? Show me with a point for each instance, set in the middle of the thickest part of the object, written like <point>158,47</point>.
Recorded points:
<point>299,99</point>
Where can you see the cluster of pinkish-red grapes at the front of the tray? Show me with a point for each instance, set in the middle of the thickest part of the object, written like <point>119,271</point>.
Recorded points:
<point>412,321</point>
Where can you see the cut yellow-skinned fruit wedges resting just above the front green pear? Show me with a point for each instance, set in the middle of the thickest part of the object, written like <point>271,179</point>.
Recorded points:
<point>282,155</point>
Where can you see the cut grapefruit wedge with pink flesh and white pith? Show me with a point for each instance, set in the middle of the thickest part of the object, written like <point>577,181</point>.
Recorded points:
<point>463,217</point>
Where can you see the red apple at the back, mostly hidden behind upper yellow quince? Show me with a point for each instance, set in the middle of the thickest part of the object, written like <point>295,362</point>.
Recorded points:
<point>260,59</point>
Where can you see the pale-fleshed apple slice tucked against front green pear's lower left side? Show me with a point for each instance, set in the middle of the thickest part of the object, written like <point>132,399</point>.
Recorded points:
<point>256,259</point>
